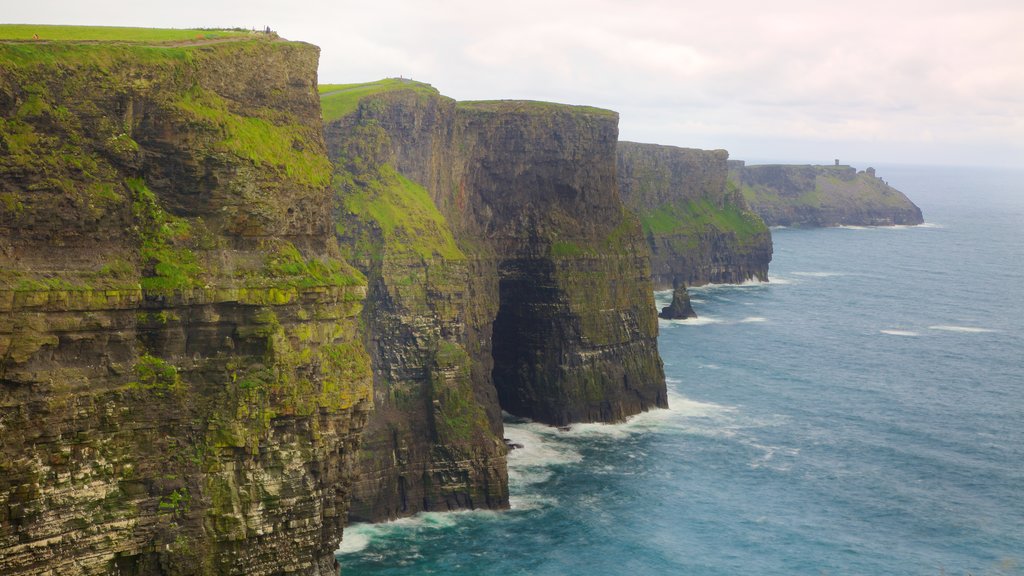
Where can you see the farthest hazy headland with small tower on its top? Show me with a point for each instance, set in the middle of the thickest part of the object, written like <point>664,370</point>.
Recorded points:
<point>822,196</point>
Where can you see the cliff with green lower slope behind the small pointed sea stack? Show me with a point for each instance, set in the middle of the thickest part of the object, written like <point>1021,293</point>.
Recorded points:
<point>699,230</point>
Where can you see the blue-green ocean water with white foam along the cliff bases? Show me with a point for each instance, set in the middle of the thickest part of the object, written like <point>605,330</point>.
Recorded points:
<point>862,414</point>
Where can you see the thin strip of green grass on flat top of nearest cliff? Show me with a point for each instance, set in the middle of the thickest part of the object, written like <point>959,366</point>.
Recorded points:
<point>113,34</point>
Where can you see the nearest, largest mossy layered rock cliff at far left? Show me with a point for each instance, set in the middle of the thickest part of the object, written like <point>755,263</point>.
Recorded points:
<point>182,382</point>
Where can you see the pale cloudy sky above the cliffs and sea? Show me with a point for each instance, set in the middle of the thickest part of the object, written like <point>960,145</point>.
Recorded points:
<point>868,83</point>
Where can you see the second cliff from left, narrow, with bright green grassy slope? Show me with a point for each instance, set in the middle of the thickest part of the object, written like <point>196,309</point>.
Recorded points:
<point>435,441</point>
